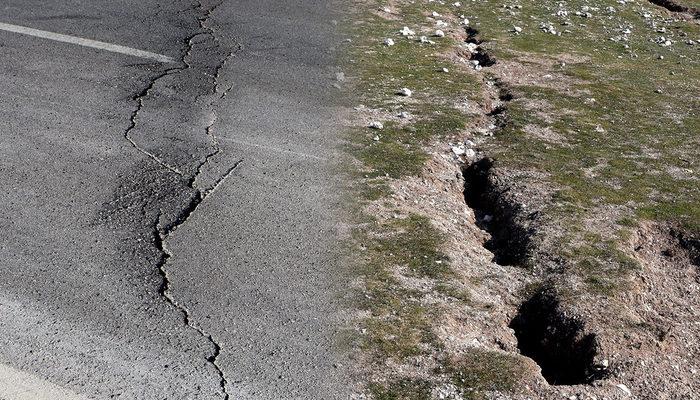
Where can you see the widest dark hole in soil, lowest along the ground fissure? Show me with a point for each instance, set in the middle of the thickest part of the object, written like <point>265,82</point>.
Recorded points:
<point>555,341</point>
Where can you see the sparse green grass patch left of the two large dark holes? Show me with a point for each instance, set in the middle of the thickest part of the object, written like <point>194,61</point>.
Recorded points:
<point>399,325</point>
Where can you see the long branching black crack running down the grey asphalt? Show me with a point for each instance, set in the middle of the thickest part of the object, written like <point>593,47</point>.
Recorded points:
<point>161,232</point>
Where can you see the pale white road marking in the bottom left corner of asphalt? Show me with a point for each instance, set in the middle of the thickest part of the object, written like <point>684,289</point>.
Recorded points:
<point>19,385</point>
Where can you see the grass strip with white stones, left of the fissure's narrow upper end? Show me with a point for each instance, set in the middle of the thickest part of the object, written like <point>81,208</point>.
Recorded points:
<point>382,70</point>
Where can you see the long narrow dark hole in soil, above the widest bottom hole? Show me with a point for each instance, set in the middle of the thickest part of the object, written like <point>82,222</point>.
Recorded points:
<point>509,240</point>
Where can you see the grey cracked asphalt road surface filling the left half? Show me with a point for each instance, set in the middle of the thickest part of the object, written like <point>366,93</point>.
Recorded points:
<point>168,227</point>
